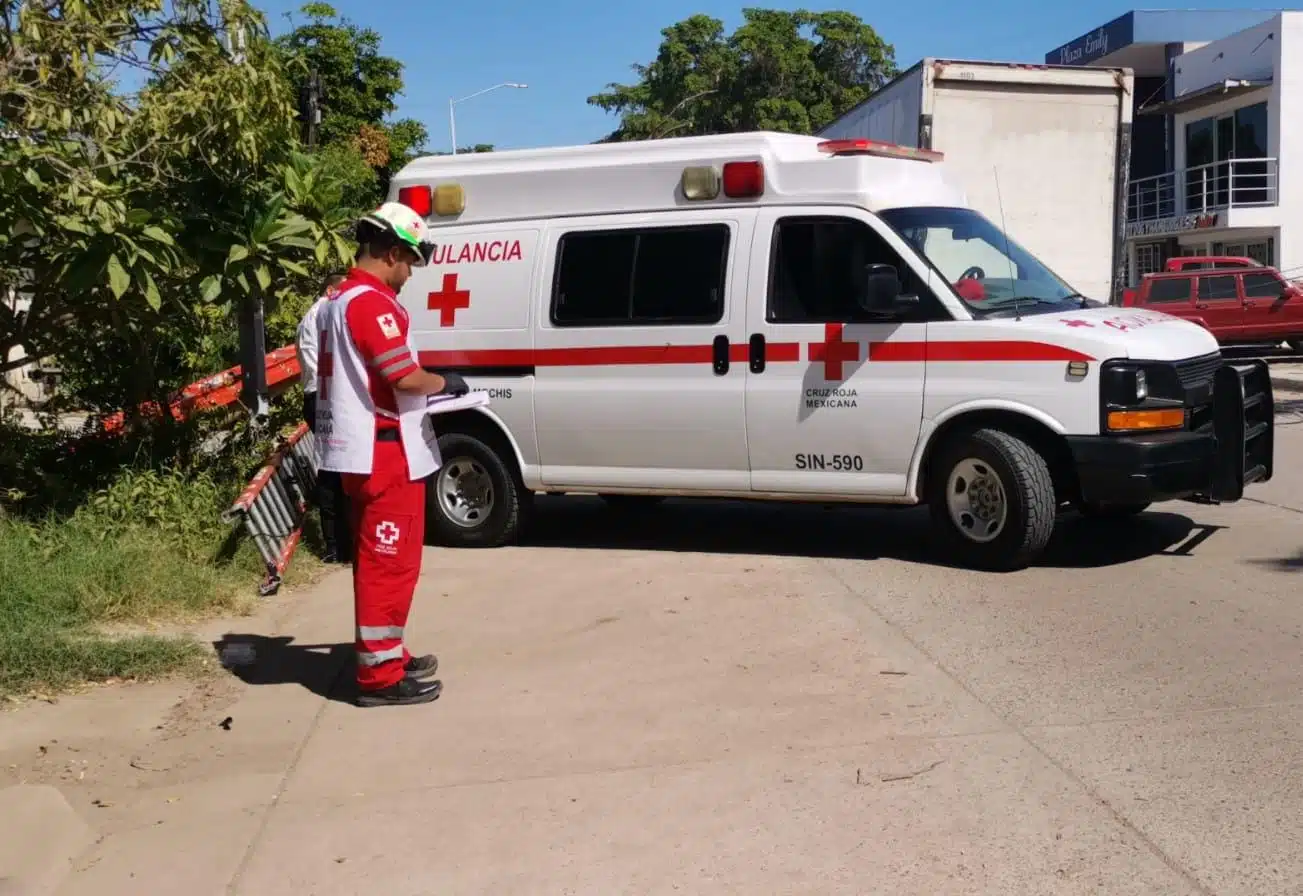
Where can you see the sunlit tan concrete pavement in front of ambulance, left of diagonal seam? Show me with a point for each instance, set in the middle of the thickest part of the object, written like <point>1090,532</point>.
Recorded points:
<point>612,722</point>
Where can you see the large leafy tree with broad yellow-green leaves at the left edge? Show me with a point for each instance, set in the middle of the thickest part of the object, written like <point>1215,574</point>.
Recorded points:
<point>149,186</point>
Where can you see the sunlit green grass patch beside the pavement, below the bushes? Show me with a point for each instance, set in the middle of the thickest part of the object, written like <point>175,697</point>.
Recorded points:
<point>147,550</point>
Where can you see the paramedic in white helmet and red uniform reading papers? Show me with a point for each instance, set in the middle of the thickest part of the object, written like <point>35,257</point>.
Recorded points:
<point>372,415</point>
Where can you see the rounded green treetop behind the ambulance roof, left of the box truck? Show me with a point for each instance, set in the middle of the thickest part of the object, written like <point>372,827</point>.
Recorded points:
<point>786,71</point>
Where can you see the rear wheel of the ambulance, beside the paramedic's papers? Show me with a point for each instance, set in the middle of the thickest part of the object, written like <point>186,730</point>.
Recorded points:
<point>476,499</point>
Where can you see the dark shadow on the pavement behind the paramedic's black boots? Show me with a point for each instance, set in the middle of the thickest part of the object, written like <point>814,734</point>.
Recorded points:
<point>259,660</point>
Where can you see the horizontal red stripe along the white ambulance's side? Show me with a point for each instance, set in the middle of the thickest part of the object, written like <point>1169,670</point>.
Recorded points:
<point>613,356</point>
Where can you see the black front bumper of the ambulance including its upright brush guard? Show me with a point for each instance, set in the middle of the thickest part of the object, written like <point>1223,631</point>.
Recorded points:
<point>1233,450</point>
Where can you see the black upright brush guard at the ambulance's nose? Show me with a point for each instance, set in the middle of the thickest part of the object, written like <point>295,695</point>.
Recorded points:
<point>1244,427</point>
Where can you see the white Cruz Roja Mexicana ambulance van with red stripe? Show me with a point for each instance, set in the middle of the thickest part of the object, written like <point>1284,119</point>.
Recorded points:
<point>785,318</point>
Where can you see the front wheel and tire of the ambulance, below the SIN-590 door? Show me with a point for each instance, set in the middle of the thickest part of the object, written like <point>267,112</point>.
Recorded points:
<point>992,501</point>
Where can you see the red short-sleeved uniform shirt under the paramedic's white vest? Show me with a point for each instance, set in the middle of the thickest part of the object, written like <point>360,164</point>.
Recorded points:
<point>380,329</point>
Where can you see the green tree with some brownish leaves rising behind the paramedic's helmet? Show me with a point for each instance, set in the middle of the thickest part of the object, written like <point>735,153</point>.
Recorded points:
<point>360,89</point>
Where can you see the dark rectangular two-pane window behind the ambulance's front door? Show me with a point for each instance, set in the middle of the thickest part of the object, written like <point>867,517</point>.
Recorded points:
<point>647,277</point>
